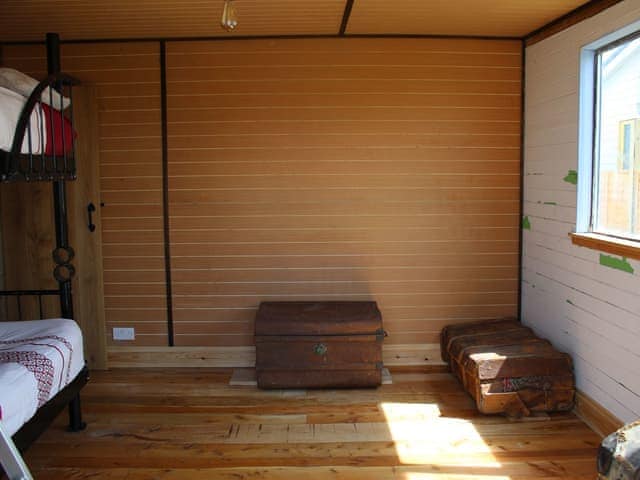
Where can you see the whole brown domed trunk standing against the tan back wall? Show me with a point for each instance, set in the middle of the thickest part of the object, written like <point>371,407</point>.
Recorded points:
<point>318,344</point>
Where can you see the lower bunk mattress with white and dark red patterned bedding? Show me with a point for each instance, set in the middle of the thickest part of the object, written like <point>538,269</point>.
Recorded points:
<point>37,359</point>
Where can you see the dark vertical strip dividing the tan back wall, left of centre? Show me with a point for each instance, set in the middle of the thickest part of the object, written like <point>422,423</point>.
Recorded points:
<point>165,190</point>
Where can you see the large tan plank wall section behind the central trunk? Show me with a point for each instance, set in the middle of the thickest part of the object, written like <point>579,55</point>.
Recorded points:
<point>343,169</point>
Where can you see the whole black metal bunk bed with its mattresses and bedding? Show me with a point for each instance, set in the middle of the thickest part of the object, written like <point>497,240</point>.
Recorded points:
<point>37,144</point>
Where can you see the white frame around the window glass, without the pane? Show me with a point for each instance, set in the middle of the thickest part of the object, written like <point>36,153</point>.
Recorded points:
<point>587,114</point>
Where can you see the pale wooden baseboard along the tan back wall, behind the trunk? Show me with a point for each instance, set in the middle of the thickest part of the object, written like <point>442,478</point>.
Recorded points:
<point>237,357</point>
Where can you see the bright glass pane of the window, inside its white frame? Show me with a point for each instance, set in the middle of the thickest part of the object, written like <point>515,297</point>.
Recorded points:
<point>617,165</point>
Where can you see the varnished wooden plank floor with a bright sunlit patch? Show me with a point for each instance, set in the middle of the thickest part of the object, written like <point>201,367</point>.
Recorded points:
<point>190,424</point>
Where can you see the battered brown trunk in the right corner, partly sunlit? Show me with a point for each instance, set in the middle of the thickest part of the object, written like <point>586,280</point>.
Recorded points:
<point>507,369</point>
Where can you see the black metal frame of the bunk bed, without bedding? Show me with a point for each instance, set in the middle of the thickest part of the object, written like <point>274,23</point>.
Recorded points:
<point>16,166</point>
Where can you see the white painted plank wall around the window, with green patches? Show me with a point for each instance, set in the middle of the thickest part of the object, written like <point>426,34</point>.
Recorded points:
<point>584,308</point>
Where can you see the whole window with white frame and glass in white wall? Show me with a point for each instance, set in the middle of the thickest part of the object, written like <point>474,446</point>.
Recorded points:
<point>609,143</point>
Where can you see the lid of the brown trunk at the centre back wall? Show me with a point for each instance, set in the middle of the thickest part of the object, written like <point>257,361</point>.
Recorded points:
<point>318,318</point>
